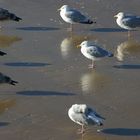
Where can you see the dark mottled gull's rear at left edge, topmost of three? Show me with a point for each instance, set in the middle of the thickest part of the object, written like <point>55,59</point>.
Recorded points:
<point>6,15</point>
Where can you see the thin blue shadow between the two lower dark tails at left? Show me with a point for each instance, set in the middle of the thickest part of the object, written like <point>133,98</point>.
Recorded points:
<point>26,64</point>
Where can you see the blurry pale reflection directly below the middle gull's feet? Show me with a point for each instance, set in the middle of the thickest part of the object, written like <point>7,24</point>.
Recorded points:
<point>93,82</point>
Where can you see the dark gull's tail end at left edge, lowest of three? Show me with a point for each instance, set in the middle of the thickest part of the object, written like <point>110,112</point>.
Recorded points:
<point>6,79</point>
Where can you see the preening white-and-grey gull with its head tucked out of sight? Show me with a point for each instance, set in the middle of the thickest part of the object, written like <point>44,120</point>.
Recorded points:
<point>84,115</point>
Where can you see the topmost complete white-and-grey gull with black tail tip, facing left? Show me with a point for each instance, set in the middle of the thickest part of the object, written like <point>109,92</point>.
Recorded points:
<point>73,16</point>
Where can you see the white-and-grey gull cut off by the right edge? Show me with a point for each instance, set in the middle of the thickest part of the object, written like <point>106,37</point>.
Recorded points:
<point>127,21</point>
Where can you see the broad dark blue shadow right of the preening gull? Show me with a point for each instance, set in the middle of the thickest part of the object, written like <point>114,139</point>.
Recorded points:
<point>122,131</point>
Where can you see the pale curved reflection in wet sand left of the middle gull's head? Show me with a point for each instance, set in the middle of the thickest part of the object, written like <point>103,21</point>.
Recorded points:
<point>69,44</point>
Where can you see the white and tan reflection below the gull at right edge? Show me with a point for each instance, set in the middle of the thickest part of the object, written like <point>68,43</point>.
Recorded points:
<point>128,47</point>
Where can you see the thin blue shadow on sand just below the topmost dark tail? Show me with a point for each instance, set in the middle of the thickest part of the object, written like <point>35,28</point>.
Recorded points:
<point>33,28</point>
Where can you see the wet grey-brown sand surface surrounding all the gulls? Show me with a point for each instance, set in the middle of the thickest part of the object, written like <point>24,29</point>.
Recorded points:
<point>53,74</point>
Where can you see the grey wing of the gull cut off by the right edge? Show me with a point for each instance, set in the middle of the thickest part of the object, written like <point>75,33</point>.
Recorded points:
<point>132,21</point>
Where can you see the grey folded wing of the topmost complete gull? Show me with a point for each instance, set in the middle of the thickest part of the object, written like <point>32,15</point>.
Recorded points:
<point>76,16</point>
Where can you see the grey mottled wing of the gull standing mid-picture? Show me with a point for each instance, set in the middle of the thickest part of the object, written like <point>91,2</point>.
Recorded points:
<point>96,51</point>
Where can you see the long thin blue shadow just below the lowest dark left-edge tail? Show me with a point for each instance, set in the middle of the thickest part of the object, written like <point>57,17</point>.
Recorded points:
<point>44,93</point>
